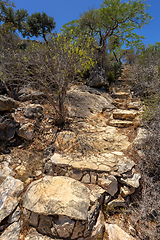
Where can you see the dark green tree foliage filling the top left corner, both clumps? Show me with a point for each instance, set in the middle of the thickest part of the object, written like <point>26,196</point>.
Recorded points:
<point>38,24</point>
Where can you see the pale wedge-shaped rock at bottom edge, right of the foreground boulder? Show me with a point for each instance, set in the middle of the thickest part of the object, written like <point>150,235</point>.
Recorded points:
<point>116,233</point>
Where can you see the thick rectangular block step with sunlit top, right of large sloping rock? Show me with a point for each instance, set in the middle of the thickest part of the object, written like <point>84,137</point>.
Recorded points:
<point>124,114</point>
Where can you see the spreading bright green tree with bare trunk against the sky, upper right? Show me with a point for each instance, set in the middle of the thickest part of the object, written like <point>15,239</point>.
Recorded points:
<point>113,22</point>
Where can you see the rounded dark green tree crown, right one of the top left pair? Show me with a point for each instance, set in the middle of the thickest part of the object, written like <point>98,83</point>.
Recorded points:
<point>39,24</point>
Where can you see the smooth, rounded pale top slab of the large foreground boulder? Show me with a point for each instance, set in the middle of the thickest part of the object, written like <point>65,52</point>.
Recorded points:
<point>58,195</point>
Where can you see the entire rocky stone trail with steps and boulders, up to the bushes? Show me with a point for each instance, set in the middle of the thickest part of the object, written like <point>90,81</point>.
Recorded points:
<point>56,183</point>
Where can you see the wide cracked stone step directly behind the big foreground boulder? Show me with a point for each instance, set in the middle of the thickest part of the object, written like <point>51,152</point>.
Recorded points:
<point>88,169</point>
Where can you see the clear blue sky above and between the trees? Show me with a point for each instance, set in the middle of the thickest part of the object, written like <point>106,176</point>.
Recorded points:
<point>64,11</point>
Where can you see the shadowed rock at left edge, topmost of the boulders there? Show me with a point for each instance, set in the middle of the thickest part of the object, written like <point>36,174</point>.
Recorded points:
<point>7,103</point>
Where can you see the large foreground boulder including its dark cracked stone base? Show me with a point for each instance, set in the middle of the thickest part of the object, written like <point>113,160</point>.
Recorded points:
<point>60,207</point>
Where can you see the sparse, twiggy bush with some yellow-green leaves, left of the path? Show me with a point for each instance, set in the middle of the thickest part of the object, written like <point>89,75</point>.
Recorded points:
<point>48,67</point>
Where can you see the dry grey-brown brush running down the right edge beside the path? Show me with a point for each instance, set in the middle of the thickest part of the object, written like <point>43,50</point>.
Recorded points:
<point>145,215</point>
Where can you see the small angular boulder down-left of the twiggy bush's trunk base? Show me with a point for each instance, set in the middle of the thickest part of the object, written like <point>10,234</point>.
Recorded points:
<point>26,131</point>
